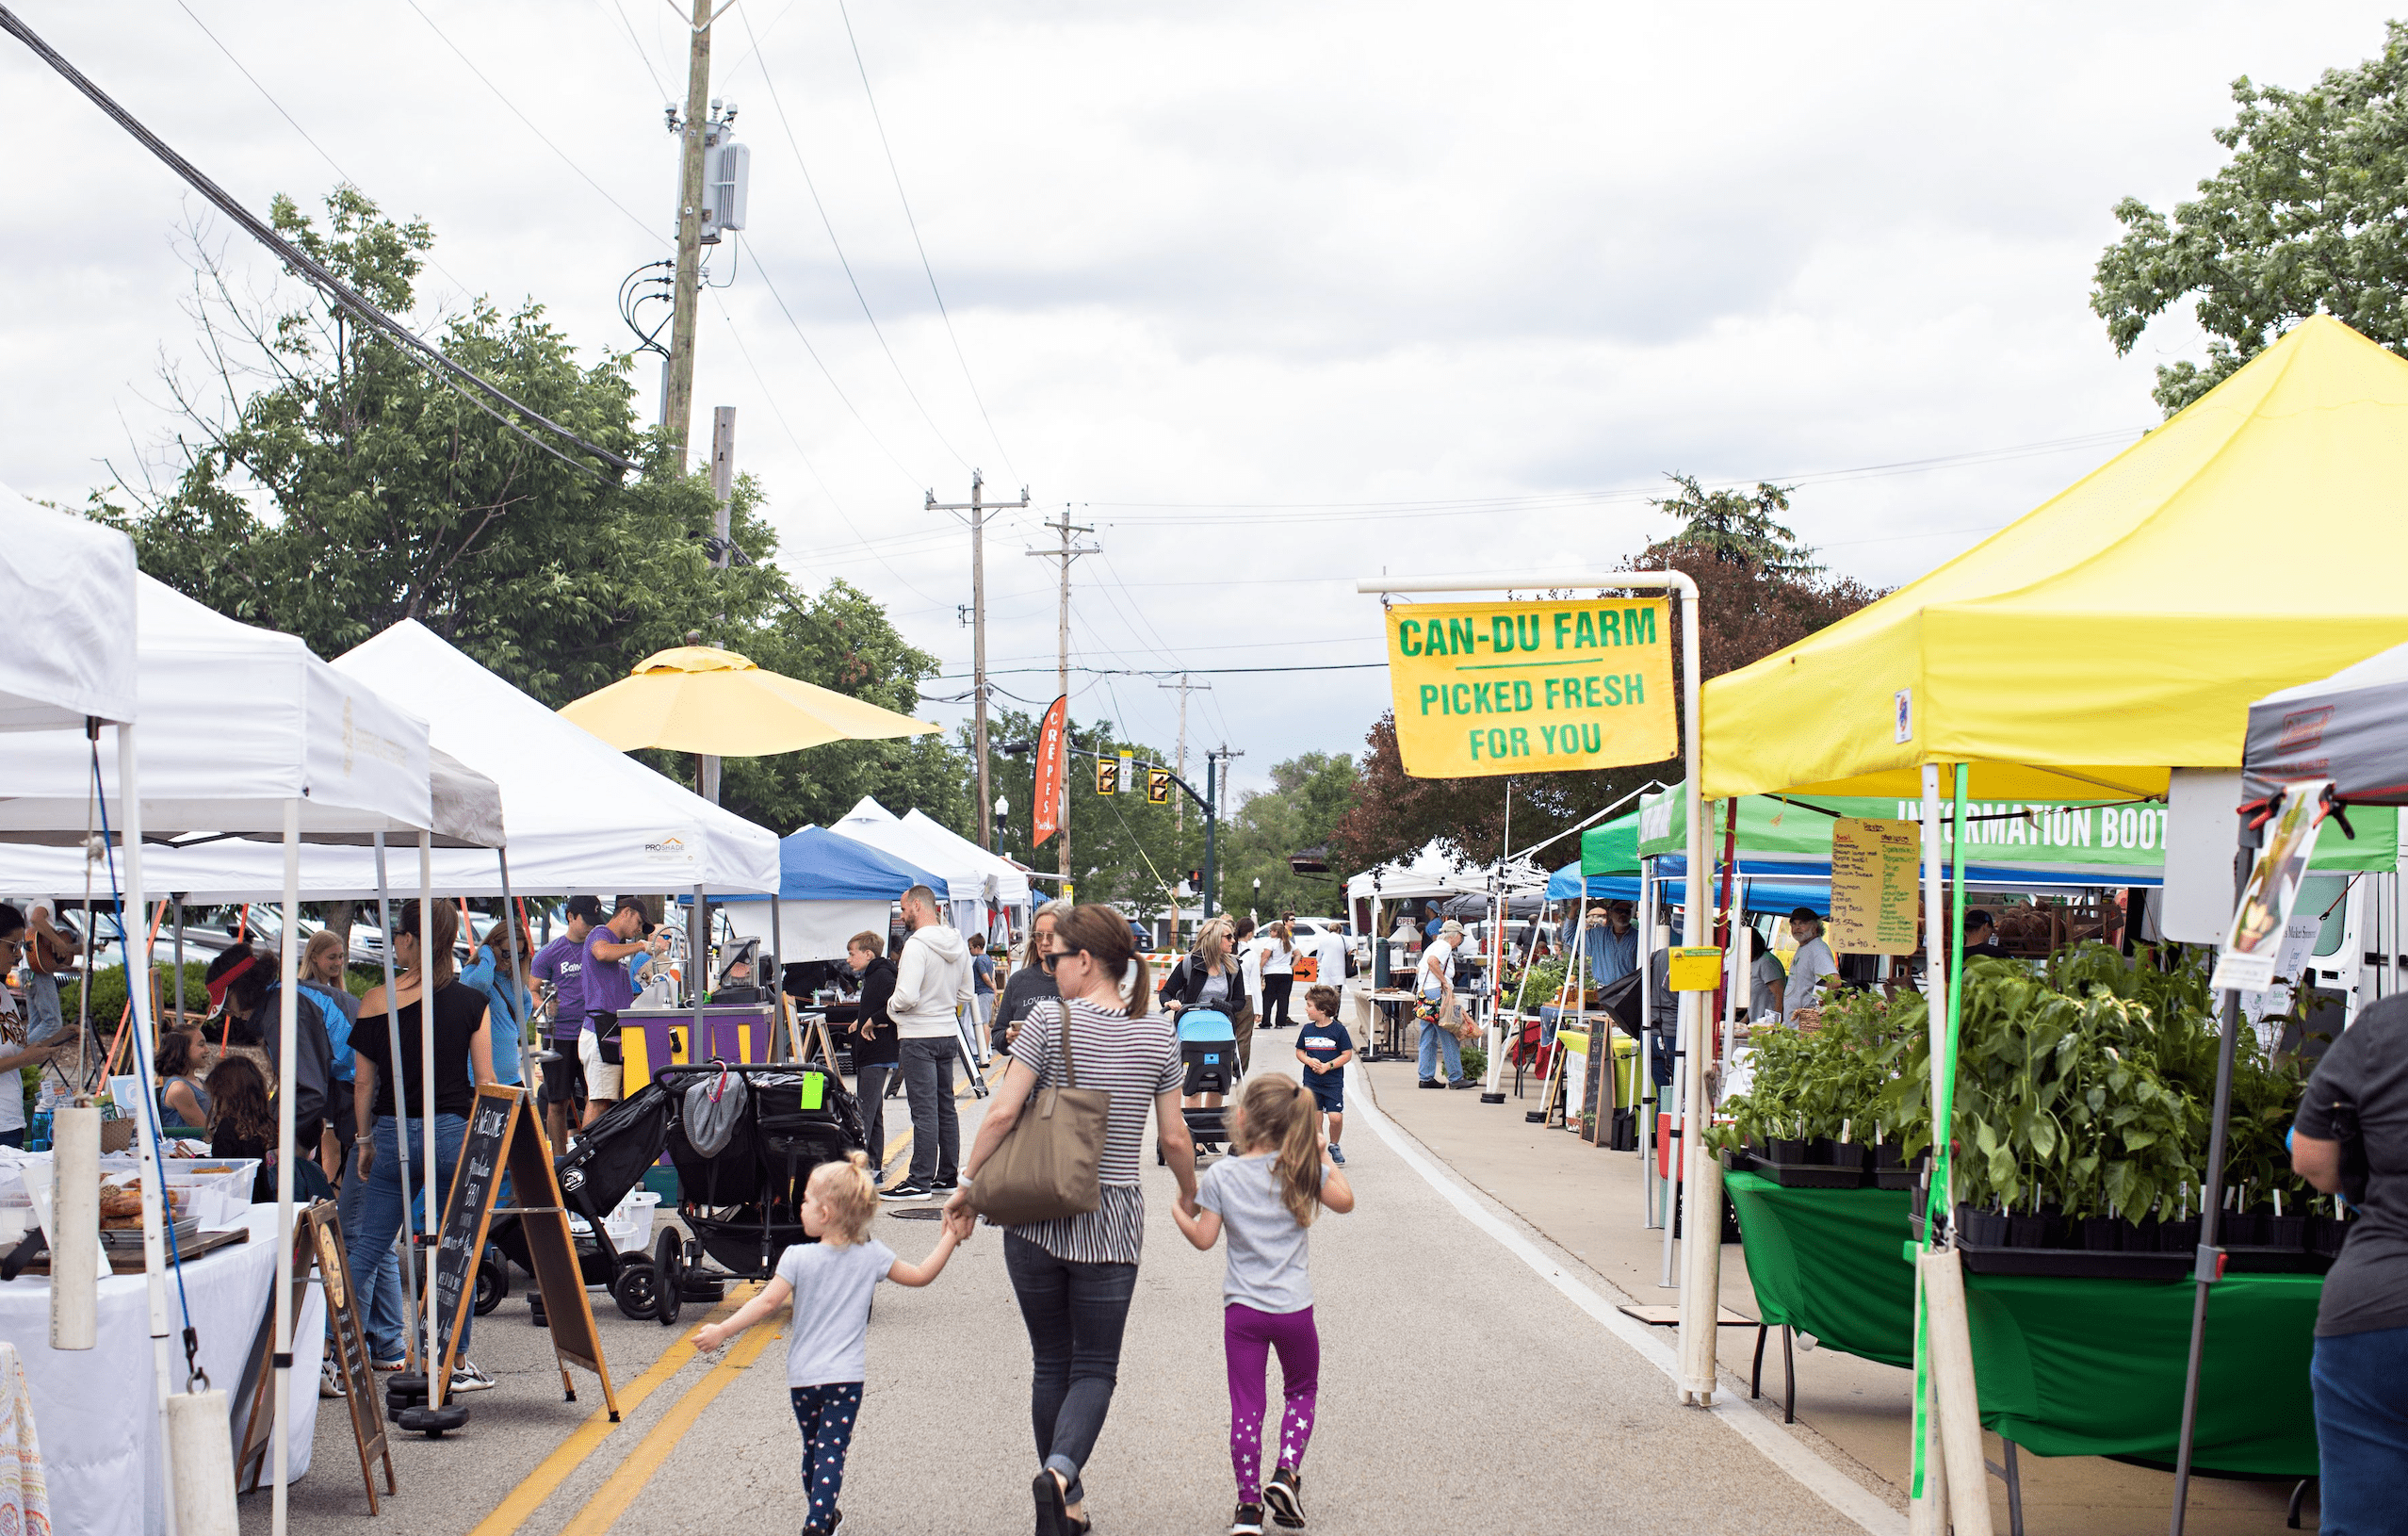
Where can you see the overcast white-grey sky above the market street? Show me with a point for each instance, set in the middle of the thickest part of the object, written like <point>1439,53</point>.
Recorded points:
<point>1270,295</point>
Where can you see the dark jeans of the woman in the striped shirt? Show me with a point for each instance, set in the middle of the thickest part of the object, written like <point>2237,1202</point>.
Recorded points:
<point>1075,1318</point>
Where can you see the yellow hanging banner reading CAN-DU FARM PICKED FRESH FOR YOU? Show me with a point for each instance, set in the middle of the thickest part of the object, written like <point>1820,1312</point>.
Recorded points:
<point>1530,687</point>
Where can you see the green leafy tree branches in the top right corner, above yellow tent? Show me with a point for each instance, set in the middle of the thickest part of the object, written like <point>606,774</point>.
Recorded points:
<point>2306,218</point>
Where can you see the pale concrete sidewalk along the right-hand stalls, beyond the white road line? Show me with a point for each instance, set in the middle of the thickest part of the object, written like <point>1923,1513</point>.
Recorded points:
<point>1858,1414</point>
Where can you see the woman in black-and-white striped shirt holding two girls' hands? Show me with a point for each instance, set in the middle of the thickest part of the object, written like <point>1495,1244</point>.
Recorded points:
<point>1078,1275</point>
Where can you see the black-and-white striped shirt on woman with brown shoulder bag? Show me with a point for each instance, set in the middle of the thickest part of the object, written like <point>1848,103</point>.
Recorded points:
<point>1133,1061</point>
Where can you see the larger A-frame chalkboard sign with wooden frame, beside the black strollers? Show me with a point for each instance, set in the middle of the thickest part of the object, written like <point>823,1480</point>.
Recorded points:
<point>504,1140</point>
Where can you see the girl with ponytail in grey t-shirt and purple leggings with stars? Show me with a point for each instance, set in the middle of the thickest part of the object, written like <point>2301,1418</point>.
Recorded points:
<point>1265,1198</point>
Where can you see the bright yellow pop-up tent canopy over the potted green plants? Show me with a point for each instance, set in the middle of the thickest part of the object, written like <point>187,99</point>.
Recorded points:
<point>2125,627</point>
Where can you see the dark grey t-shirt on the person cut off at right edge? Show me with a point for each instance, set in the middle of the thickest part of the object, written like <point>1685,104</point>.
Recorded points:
<point>2368,1073</point>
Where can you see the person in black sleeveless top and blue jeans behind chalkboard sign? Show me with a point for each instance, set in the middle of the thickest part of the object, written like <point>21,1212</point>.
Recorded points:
<point>464,1061</point>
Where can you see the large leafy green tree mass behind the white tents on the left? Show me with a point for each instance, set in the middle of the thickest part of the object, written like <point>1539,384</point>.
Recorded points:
<point>331,488</point>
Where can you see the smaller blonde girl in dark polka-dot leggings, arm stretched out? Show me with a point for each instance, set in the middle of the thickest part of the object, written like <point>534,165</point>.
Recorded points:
<point>830,1345</point>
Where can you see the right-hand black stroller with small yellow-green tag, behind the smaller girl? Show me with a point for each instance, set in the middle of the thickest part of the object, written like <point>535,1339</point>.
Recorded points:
<point>745,1140</point>
